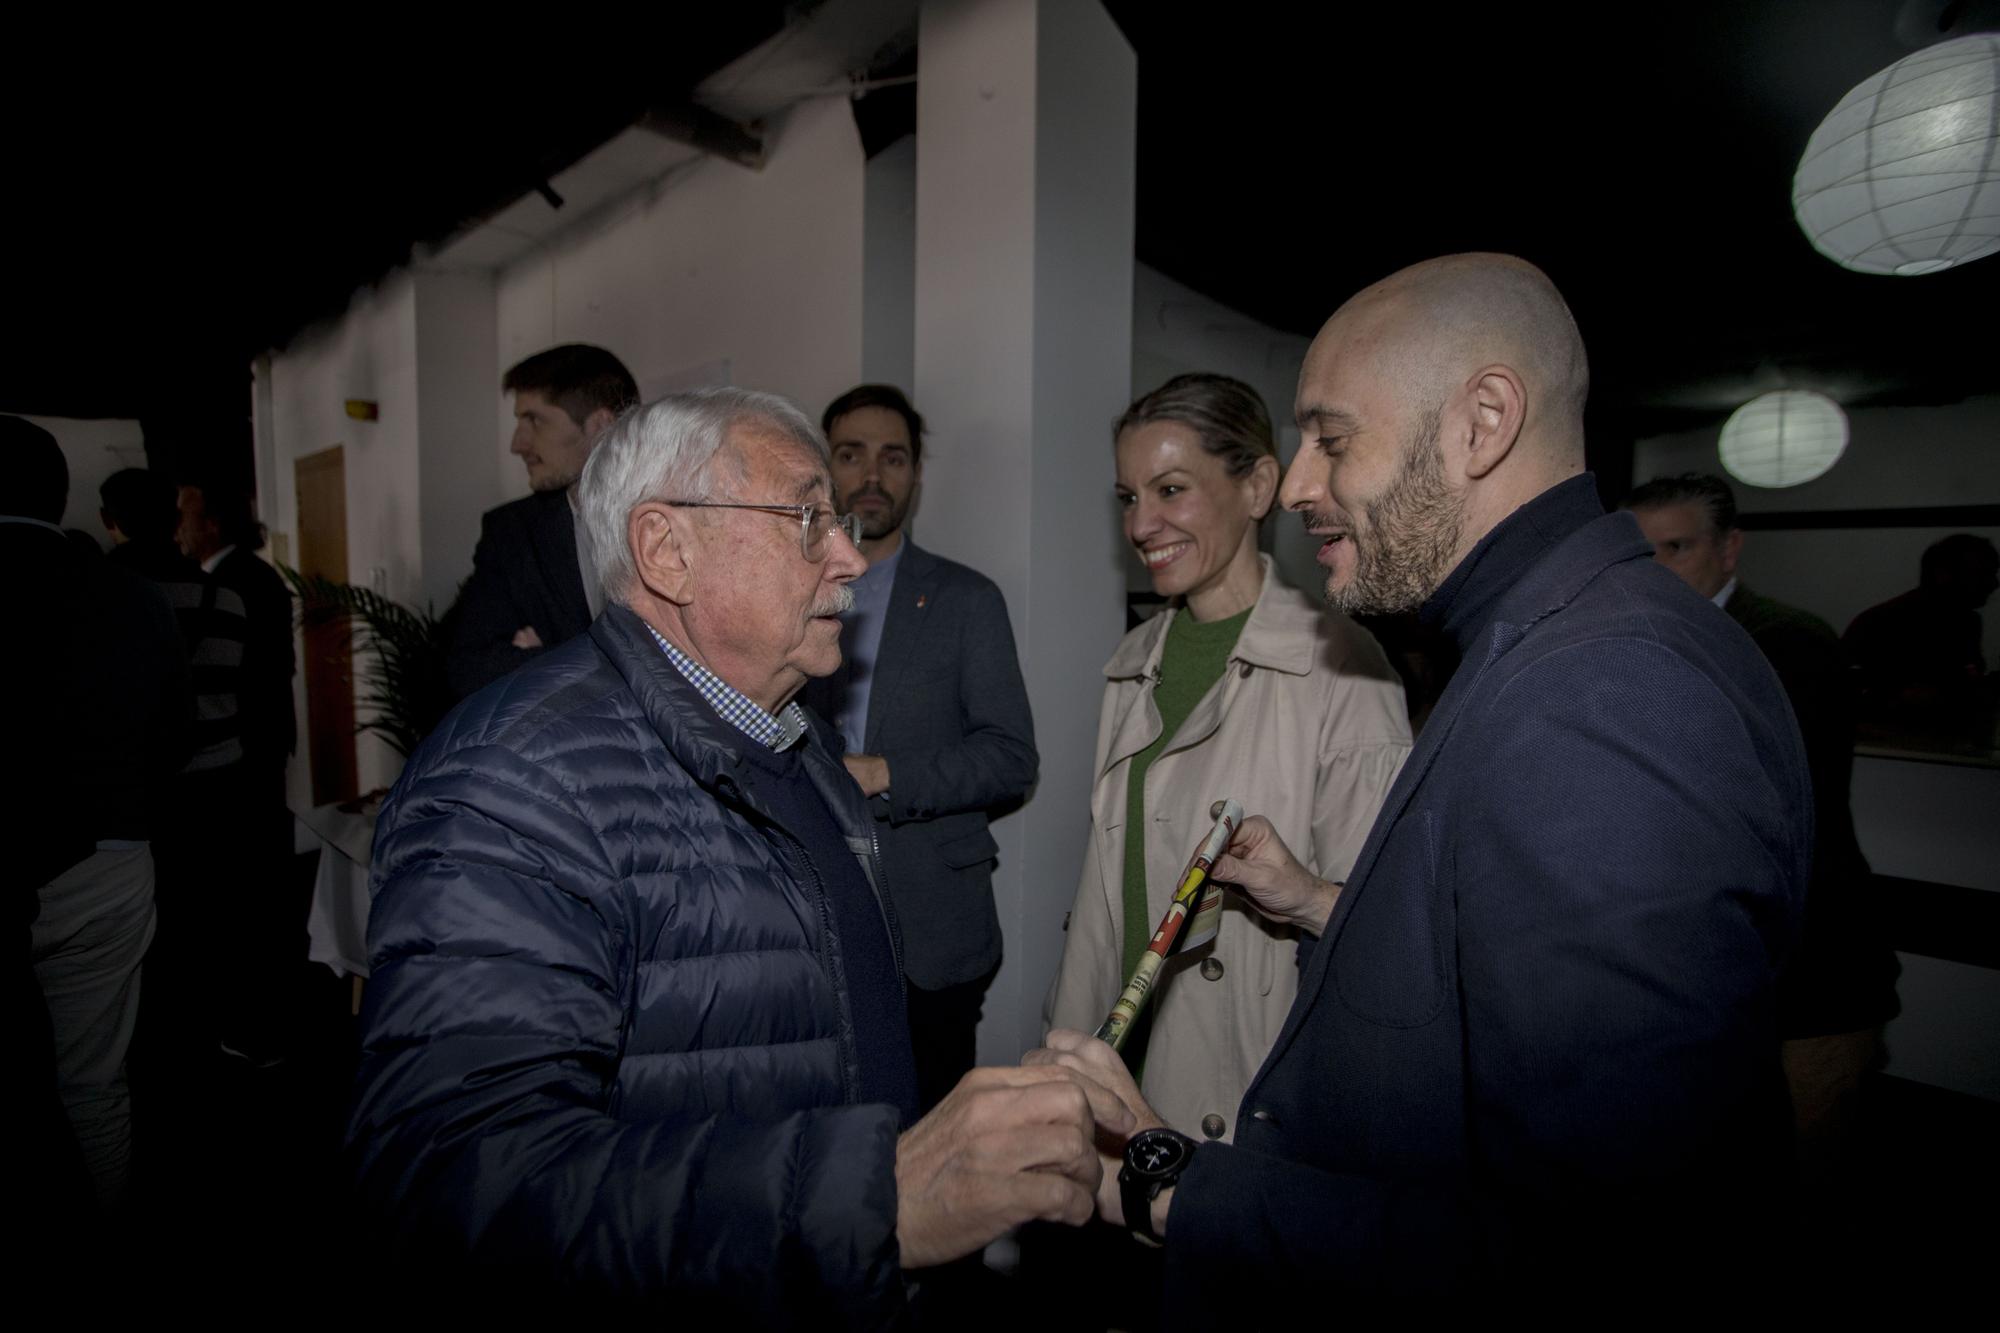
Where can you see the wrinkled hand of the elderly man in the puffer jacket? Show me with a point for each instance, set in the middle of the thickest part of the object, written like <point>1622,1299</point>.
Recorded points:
<point>1007,1146</point>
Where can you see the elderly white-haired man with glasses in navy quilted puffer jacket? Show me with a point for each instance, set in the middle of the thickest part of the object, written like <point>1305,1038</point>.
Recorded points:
<point>635,1030</point>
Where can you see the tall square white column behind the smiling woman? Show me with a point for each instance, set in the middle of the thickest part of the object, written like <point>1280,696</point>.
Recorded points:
<point>1023,361</point>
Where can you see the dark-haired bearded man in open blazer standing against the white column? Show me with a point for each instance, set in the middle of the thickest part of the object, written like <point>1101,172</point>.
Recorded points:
<point>935,716</point>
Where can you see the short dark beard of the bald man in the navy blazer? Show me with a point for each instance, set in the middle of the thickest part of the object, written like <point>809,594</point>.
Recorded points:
<point>1411,533</point>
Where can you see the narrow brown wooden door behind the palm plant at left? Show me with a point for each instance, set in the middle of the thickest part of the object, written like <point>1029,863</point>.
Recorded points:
<point>323,549</point>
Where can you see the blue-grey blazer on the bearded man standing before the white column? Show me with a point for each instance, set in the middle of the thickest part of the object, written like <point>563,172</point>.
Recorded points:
<point>949,714</point>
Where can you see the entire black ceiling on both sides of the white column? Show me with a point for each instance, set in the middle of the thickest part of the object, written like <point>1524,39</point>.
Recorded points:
<point>179,211</point>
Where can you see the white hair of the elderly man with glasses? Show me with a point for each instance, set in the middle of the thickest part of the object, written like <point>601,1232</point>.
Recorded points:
<point>669,449</point>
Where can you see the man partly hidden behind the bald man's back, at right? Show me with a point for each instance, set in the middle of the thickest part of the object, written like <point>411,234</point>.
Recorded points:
<point>1841,984</point>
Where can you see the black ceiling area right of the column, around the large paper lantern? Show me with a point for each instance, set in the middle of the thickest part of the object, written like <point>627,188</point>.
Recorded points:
<point>1641,155</point>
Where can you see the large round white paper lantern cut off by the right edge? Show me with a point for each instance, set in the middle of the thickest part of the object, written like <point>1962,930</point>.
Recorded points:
<point>1905,175</point>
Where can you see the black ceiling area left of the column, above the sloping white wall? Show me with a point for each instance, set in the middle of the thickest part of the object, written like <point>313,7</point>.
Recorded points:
<point>185,203</point>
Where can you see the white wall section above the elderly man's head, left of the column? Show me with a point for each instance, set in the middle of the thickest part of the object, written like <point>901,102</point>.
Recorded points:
<point>715,273</point>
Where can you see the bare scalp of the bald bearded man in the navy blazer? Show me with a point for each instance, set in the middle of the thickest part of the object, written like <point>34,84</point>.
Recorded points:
<point>1437,325</point>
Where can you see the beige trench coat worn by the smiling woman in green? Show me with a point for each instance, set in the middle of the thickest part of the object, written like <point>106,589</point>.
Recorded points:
<point>1305,728</point>
